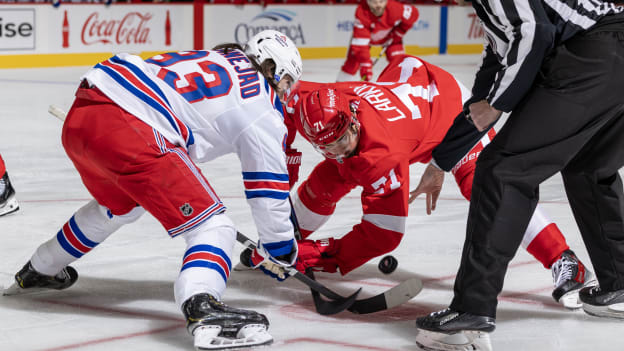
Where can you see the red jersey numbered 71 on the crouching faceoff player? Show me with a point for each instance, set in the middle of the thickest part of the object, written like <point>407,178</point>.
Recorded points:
<point>403,116</point>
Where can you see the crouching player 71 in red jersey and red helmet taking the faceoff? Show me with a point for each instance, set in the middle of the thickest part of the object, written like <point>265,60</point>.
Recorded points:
<point>369,134</point>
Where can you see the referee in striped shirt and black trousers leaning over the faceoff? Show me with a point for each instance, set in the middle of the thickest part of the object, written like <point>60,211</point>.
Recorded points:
<point>558,67</point>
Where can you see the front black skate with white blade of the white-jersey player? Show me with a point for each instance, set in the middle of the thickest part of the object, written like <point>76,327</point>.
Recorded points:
<point>216,326</point>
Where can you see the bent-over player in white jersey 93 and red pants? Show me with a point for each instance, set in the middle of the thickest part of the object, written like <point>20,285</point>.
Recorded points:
<point>135,132</point>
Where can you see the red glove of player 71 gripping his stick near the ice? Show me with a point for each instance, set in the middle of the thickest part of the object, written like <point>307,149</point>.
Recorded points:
<point>318,255</point>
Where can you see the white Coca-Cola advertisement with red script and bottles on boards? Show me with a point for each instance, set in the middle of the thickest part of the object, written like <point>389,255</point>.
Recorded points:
<point>122,28</point>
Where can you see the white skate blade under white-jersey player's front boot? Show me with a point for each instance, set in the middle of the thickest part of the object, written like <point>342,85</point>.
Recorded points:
<point>207,338</point>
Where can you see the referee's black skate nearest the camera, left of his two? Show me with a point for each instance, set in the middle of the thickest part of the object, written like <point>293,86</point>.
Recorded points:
<point>452,330</point>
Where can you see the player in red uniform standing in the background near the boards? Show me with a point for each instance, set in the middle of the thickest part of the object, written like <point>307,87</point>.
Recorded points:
<point>380,23</point>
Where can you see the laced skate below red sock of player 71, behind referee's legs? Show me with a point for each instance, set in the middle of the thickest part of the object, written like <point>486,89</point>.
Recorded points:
<point>569,276</point>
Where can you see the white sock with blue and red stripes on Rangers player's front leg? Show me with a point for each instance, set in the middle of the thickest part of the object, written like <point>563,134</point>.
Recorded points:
<point>206,264</point>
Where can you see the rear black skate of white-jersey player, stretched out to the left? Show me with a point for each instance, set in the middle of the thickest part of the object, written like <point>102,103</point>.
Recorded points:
<point>28,280</point>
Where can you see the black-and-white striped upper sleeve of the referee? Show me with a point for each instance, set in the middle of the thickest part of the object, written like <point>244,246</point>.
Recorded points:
<point>519,35</point>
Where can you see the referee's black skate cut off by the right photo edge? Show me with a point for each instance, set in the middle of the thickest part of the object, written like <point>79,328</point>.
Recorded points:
<point>602,303</point>
